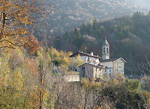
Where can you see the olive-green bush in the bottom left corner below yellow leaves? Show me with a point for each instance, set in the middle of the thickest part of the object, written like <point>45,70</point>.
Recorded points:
<point>12,98</point>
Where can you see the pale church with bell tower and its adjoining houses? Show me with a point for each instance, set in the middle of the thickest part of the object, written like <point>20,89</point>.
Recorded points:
<point>98,67</point>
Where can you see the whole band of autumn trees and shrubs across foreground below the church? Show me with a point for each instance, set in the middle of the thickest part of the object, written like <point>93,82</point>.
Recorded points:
<point>27,81</point>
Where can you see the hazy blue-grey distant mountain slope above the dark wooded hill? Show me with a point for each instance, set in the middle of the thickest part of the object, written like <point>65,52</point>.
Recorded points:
<point>72,13</point>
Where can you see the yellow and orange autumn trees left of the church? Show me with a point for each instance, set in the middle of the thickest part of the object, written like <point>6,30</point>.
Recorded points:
<point>23,79</point>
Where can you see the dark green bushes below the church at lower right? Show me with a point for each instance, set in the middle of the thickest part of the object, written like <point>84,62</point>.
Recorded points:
<point>123,94</point>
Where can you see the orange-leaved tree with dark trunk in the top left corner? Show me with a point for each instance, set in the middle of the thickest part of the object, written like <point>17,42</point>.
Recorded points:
<point>16,16</point>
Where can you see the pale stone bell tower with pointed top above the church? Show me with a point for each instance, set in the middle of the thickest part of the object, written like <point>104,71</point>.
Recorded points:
<point>105,50</point>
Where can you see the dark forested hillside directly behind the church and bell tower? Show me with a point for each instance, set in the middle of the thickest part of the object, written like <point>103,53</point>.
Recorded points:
<point>129,38</point>
